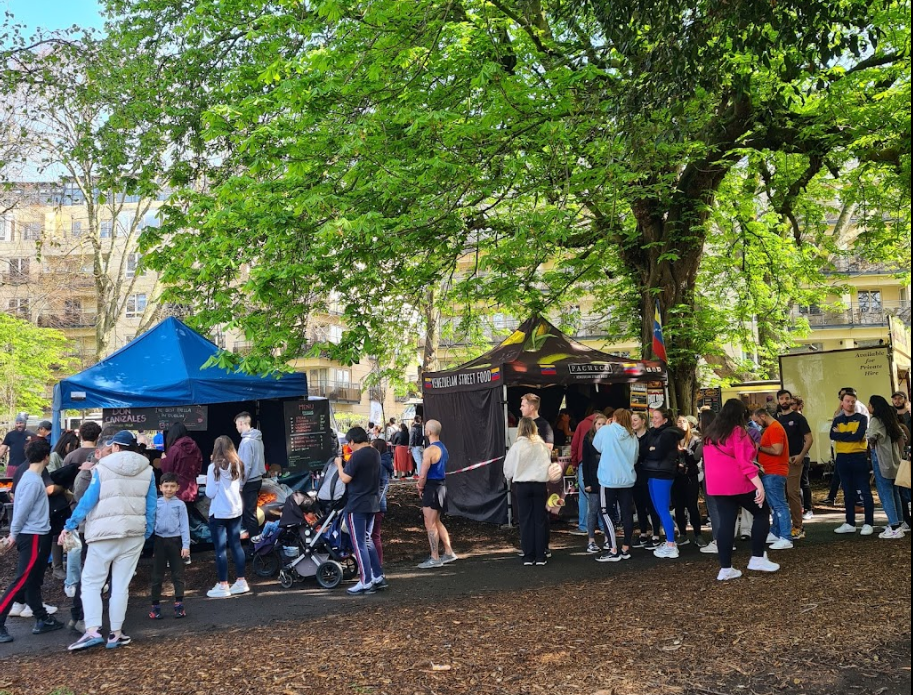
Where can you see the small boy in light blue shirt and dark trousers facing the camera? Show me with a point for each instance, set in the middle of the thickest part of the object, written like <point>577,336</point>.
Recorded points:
<point>171,544</point>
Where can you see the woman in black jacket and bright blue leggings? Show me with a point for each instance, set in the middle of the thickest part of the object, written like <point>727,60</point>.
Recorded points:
<point>659,455</point>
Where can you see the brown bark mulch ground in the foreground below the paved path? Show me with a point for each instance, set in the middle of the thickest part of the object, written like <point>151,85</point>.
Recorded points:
<point>836,619</point>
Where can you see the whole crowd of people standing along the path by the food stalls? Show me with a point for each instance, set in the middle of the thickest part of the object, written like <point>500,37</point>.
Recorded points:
<point>95,496</point>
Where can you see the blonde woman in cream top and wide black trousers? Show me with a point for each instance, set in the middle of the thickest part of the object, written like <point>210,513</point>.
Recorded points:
<point>526,466</point>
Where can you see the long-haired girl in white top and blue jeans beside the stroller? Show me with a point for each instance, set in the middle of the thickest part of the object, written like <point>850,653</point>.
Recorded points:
<point>224,480</point>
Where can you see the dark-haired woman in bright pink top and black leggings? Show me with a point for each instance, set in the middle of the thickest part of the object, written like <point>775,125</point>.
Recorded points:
<point>734,482</point>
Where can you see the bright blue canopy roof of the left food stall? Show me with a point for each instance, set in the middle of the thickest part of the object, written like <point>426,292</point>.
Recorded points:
<point>164,367</point>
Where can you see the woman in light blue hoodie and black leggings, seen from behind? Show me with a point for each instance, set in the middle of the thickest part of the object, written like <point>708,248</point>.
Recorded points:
<point>618,447</point>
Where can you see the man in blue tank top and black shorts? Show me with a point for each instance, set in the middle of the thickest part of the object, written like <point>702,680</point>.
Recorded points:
<point>433,492</point>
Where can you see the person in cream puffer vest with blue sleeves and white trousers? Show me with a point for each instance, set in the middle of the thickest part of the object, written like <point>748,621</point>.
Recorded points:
<point>119,510</point>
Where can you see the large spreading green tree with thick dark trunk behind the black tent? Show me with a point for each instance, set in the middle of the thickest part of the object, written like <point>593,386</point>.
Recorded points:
<point>365,148</point>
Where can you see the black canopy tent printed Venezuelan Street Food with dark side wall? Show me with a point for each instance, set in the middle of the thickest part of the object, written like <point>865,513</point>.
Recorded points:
<point>472,402</point>
